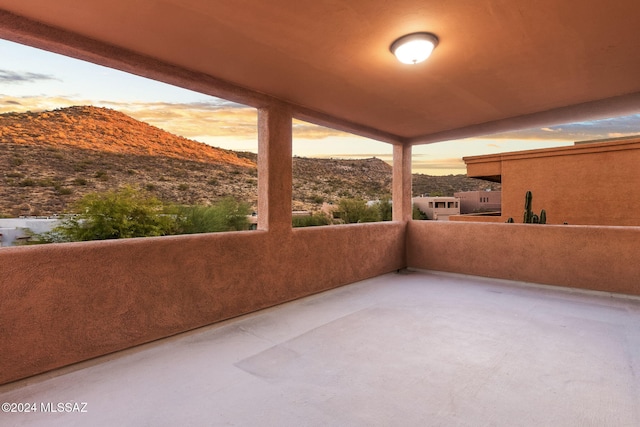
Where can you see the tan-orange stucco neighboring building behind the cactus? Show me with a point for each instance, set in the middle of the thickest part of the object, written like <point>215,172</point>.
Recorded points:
<point>584,184</point>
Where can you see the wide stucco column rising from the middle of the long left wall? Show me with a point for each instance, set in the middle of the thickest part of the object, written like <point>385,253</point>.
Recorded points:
<point>274,168</point>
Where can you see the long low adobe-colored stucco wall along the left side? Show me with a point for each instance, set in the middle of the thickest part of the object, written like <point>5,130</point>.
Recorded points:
<point>61,304</point>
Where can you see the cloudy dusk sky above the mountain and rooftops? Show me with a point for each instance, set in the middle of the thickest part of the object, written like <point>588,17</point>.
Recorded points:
<point>36,80</point>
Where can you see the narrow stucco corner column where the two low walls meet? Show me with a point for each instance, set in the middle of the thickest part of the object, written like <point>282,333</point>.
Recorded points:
<point>402,209</point>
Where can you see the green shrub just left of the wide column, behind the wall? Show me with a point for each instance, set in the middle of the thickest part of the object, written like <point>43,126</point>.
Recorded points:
<point>226,215</point>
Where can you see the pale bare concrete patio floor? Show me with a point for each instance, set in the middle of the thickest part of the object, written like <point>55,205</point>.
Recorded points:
<point>410,349</point>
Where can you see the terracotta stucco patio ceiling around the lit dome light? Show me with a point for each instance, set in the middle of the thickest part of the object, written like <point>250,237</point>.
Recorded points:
<point>500,64</point>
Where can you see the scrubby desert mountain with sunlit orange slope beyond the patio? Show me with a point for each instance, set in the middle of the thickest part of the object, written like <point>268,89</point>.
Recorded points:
<point>50,159</point>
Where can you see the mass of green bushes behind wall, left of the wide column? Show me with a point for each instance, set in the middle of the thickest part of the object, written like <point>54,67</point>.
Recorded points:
<point>132,213</point>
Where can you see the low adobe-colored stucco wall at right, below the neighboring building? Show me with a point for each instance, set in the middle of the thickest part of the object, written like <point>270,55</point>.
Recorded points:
<point>589,257</point>
